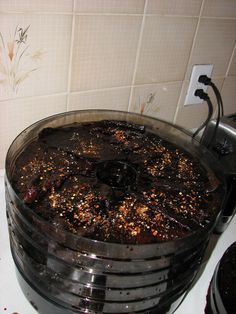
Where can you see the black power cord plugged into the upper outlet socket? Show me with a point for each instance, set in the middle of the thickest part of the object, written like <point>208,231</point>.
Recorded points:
<point>204,79</point>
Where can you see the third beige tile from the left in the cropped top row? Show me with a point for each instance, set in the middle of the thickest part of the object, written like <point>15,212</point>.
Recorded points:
<point>180,7</point>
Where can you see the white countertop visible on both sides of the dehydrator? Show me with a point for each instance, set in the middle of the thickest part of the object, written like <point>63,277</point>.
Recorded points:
<point>12,300</point>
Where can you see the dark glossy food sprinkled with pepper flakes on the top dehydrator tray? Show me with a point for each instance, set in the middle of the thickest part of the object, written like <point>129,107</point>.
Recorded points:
<point>114,181</point>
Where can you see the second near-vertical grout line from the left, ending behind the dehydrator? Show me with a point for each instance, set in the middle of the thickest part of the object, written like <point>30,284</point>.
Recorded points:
<point>137,53</point>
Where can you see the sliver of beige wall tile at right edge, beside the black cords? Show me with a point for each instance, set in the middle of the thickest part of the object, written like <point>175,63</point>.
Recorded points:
<point>229,95</point>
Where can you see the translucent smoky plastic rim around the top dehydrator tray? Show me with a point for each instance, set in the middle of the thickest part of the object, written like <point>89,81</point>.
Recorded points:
<point>167,244</point>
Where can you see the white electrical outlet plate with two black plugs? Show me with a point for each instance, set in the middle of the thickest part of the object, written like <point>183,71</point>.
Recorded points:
<point>198,70</point>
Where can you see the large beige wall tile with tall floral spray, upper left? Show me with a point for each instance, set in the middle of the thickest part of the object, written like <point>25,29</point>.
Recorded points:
<point>38,64</point>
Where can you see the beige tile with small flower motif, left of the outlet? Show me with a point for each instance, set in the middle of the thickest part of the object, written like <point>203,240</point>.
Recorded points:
<point>159,100</point>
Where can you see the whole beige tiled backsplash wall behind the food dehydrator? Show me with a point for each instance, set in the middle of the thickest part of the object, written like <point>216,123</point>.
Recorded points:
<point>131,55</point>
